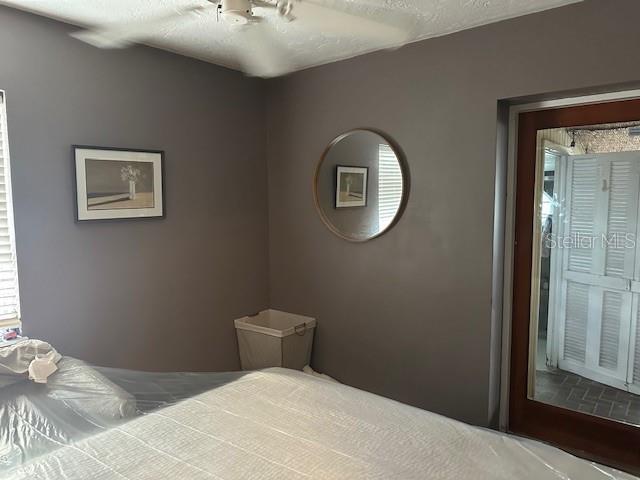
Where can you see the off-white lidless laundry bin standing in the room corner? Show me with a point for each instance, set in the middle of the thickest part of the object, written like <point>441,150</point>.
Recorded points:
<point>273,338</point>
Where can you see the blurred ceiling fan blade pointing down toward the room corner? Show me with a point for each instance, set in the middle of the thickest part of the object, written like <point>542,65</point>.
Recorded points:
<point>263,55</point>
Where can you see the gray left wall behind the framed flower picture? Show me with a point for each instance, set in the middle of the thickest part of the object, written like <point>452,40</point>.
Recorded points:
<point>155,294</point>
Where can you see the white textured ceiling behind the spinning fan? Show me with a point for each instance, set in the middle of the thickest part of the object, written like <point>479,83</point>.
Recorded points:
<point>202,36</point>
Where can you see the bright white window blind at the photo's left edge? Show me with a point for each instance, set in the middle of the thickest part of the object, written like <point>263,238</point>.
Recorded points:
<point>9,298</point>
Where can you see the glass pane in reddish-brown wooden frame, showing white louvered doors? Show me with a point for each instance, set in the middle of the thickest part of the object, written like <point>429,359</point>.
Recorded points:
<point>585,299</point>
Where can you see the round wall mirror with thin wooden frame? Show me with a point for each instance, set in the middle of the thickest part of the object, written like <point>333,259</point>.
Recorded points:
<point>361,185</point>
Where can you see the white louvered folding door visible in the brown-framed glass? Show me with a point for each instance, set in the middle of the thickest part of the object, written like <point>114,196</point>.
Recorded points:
<point>597,312</point>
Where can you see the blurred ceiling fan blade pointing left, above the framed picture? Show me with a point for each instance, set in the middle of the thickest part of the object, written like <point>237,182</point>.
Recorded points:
<point>124,34</point>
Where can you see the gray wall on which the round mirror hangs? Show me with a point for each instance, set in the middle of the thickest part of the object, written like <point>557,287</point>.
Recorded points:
<point>409,315</point>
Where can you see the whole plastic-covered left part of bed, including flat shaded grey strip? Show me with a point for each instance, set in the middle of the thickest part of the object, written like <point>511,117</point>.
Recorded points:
<point>80,400</point>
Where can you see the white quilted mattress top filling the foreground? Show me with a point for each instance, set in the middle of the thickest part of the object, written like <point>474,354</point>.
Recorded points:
<point>281,424</point>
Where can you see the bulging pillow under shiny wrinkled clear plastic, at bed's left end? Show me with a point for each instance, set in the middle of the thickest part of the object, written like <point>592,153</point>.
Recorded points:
<point>76,402</point>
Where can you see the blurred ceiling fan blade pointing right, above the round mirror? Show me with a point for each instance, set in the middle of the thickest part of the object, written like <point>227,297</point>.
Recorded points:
<point>390,27</point>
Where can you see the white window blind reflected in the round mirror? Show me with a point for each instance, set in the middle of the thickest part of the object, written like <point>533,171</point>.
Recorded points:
<point>389,185</point>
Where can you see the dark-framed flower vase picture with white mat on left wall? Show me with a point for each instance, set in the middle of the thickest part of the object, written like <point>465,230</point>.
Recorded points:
<point>118,183</point>
